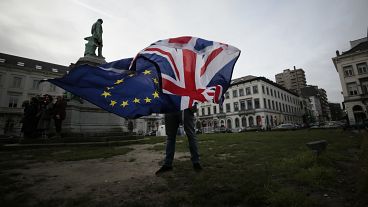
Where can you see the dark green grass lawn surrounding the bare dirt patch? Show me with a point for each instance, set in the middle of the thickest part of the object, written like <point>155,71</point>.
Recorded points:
<point>240,169</point>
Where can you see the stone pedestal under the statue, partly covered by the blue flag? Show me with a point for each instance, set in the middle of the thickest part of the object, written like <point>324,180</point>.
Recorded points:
<point>85,118</point>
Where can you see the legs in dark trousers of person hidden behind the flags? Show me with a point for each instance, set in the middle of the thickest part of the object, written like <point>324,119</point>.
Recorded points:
<point>172,122</point>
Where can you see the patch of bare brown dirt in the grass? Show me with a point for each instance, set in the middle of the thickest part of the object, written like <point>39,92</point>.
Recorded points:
<point>119,179</point>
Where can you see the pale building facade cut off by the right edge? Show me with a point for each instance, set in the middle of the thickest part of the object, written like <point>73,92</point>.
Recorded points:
<point>352,69</point>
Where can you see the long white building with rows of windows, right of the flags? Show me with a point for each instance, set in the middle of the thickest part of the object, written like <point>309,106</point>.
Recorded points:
<point>251,102</point>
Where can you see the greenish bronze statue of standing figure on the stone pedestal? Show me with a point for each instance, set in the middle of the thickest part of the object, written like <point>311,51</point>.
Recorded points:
<point>94,41</point>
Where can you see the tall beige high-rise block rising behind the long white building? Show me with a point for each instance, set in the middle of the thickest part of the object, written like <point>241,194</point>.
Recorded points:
<point>293,80</point>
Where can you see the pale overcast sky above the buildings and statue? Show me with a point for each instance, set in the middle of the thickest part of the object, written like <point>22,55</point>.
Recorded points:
<point>273,35</point>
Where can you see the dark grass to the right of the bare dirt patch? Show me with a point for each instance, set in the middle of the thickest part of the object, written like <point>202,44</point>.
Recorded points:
<point>274,169</point>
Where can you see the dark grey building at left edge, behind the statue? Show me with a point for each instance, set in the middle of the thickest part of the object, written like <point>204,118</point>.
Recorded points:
<point>20,80</point>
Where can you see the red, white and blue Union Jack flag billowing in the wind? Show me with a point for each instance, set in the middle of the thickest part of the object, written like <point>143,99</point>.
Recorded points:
<point>195,69</point>
